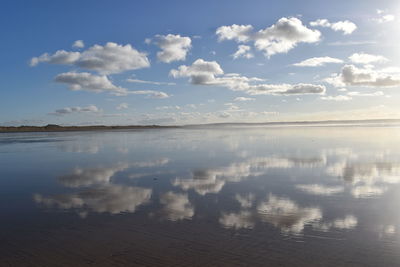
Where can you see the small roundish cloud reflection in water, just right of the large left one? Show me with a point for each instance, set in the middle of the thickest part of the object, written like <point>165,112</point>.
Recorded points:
<point>176,206</point>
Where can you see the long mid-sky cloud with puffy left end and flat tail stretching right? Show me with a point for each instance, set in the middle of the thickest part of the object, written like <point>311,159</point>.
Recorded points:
<point>203,72</point>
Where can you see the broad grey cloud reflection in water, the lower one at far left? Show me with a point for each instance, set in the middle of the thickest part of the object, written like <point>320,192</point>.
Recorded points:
<point>111,198</point>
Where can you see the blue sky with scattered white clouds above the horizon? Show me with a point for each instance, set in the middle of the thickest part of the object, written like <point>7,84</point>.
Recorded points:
<point>190,62</point>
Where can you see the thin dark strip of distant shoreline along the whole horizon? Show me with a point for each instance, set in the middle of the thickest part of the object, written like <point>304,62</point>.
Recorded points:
<point>58,128</point>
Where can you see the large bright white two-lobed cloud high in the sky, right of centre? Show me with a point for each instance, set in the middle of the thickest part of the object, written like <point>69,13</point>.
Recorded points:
<point>278,38</point>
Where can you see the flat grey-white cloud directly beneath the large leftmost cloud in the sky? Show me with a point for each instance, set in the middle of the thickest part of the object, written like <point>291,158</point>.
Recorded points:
<point>86,81</point>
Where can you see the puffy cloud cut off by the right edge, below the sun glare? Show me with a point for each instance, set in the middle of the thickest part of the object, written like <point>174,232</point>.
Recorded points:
<point>354,76</point>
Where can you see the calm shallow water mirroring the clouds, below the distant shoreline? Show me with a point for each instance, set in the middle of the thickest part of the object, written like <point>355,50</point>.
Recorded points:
<point>259,196</point>
